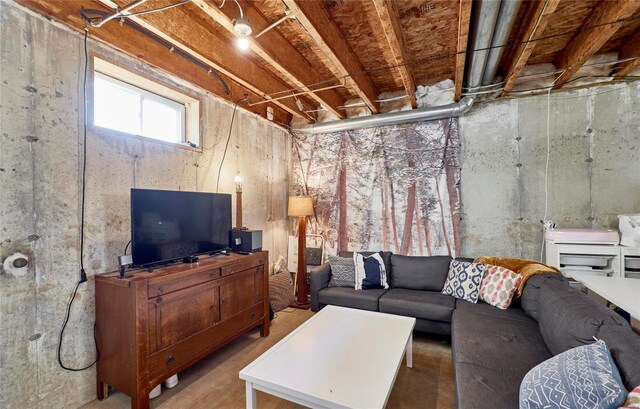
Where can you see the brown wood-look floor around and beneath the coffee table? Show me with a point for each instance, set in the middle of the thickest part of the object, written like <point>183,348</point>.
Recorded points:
<point>214,382</point>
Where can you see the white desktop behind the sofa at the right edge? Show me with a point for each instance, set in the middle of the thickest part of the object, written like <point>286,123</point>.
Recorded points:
<point>623,292</point>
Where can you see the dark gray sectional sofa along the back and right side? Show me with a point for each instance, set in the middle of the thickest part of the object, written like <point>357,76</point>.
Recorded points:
<point>492,349</point>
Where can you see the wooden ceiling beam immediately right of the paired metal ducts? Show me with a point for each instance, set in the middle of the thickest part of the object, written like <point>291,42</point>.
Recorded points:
<point>537,21</point>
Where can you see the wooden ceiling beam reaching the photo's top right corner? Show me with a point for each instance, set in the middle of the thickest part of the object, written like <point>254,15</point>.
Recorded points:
<point>596,34</point>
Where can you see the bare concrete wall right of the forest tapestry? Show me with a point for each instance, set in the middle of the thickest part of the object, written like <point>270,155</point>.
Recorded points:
<point>594,167</point>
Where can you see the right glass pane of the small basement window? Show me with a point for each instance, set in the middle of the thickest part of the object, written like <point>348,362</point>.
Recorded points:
<point>161,121</point>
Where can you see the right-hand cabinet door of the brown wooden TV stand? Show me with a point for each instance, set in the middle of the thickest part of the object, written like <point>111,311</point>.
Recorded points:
<point>240,291</point>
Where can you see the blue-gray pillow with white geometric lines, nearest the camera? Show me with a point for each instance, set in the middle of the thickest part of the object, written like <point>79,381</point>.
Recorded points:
<point>584,377</point>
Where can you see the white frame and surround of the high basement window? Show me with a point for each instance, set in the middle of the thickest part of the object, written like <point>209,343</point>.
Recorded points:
<point>151,88</point>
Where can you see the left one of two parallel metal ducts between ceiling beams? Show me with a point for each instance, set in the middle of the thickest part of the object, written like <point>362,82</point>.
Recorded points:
<point>484,16</point>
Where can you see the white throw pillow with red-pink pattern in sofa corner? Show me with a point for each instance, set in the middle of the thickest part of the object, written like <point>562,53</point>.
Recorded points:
<point>498,286</point>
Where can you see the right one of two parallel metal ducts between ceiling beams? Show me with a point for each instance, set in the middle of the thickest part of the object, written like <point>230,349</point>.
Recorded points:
<point>506,19</point>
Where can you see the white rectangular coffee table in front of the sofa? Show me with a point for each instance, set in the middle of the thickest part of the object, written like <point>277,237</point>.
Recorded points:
<point>340,358</point>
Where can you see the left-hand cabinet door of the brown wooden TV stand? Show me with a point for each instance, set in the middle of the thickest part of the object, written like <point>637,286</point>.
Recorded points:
<point>180,314</point>
